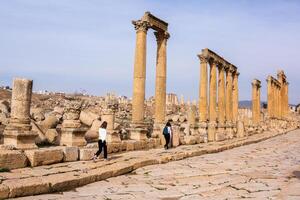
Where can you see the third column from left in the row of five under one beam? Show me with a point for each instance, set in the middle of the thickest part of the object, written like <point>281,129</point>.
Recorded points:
<point>221,95</point>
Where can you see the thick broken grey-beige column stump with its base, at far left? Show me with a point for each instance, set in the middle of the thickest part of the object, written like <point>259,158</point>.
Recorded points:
<point>18,133</point>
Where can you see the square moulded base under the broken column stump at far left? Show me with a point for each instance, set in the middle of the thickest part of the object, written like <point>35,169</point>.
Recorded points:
<point>20,139</point>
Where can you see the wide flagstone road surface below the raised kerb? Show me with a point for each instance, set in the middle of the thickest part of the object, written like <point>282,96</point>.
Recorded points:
<point>265,170</point>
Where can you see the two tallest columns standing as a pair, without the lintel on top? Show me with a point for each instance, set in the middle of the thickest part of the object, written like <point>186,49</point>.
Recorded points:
<point>138,111</point>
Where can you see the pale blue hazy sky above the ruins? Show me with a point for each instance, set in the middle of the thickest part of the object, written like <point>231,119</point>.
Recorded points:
<point>76,45</point>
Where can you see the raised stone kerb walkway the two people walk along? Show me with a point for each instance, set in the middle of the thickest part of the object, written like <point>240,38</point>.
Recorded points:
<point>65,176</point>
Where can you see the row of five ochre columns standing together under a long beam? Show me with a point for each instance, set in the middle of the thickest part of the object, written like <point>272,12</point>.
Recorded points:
<point>223,94</point>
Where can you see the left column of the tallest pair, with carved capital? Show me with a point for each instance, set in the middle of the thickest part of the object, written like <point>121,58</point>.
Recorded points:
<point>138,97</point>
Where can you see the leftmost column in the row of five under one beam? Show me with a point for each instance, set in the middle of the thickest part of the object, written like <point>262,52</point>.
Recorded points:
<point>203,89</point>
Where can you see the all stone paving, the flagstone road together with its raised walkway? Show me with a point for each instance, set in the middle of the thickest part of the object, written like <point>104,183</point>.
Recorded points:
<point>199,176</point>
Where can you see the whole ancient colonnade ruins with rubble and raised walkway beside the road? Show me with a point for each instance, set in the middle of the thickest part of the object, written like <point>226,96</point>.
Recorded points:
<point>46,129</point>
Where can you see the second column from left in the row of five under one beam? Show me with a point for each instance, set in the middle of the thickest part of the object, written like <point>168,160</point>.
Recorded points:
<point>212,101</point>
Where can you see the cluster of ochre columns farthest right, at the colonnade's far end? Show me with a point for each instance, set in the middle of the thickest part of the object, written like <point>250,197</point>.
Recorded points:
<point>277,96</point>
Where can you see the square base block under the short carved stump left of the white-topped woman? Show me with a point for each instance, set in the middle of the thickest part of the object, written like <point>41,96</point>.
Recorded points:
<point>73,137</point>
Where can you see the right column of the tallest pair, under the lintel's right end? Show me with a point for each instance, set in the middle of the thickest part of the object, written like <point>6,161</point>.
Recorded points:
<point>161,73</point>
